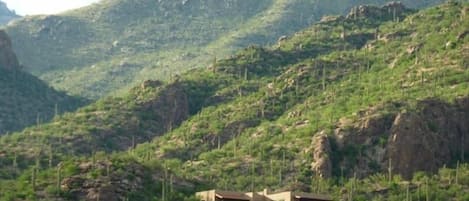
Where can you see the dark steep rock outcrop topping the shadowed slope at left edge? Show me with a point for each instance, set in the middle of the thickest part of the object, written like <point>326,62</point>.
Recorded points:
<point>8,59</point>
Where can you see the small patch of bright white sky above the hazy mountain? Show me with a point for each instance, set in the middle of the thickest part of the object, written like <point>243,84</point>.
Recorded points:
<point>33,7</point>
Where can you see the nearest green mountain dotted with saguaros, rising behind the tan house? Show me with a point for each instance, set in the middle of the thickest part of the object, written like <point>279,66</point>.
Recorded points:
<point>372,105</point>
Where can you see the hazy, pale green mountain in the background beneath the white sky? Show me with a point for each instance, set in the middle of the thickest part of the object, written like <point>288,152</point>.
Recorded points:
<point>116,44</point>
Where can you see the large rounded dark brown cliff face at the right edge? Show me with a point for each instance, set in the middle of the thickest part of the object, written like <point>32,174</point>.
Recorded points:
<point>428,139</point>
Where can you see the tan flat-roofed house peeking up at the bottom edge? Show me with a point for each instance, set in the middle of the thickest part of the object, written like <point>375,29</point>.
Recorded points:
<point>217,195</point>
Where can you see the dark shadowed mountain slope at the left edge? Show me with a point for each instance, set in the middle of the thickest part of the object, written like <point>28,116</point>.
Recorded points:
<point>24,99</point>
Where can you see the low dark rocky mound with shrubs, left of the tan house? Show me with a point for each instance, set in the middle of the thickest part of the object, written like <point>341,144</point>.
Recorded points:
<point>103,180</point>
